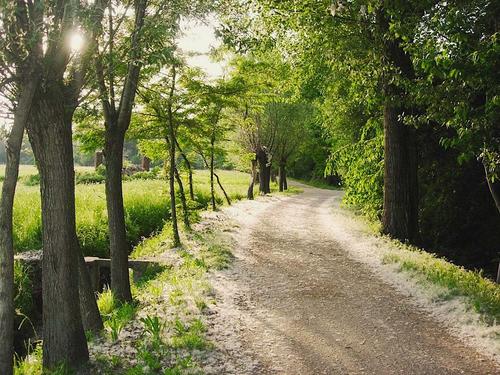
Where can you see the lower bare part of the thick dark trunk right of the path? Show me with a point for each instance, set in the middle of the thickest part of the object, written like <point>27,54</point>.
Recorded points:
<point>400,217</point>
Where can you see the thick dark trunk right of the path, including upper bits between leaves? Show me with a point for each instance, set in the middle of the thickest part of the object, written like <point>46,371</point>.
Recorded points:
<point>400,216</point>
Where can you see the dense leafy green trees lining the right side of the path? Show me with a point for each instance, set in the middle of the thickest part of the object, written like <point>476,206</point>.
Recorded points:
<point>400,86</point>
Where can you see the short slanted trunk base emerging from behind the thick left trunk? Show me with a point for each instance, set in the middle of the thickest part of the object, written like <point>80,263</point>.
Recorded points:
<point>91,317</point>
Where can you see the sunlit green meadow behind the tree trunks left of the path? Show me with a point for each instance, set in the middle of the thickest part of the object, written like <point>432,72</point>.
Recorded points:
<point>146,201</point>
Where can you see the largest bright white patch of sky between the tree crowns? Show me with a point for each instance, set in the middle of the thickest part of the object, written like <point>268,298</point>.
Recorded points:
<point>199,38</point>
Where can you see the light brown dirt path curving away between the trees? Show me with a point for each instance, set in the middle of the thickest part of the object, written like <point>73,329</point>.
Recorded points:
<point>295,302</point>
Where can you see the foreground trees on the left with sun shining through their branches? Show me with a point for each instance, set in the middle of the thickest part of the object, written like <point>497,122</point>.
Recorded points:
<point>55,57</point>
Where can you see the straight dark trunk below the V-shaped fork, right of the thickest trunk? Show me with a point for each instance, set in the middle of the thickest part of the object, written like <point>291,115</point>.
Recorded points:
<point>120,280</point>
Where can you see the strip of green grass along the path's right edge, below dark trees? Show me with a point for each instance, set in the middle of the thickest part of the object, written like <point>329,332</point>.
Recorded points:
<point>482,294</point>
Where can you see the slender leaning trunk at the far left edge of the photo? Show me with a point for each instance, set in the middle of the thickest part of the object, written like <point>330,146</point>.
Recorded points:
<point>13,149</point>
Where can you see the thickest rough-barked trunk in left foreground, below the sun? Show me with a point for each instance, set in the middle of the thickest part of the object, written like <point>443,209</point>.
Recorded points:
<point>50,136</point>
